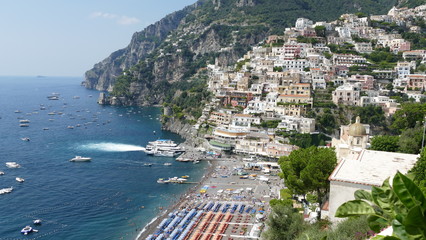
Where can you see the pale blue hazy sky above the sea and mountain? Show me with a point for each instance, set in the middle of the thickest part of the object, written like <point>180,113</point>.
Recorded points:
<point>67,37</point>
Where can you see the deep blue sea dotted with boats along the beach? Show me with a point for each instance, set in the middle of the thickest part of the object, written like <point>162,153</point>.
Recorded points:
<point>111,197</point>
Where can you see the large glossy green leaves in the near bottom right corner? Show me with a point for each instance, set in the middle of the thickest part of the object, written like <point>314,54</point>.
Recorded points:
<point>402,206</point>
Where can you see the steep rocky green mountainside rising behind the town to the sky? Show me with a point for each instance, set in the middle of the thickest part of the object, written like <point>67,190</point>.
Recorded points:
<point>177,46</point>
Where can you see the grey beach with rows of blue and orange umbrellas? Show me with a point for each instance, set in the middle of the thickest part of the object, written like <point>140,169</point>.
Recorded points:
<point>229,202</point>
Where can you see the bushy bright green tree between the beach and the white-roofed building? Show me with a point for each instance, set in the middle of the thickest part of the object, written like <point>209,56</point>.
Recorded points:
<point>307,170</point>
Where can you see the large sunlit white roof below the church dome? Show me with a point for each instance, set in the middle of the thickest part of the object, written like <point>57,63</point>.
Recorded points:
<point>372,167</point>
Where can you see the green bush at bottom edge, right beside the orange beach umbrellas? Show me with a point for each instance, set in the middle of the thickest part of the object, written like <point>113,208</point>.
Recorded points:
<point>284,223</point>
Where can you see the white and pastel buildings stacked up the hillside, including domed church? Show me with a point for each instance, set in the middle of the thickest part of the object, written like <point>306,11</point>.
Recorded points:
<point>274,85</point>
